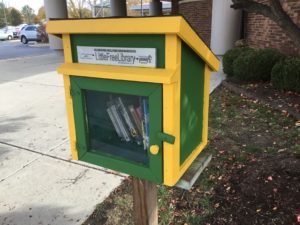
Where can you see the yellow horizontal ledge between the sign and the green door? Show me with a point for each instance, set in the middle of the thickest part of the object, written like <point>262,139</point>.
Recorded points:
<point>152,75</point>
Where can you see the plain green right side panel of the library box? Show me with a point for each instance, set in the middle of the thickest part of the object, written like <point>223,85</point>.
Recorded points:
<point>191,101</point>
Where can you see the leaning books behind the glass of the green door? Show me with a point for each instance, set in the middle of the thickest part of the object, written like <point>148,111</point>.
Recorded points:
<point>131,123</point>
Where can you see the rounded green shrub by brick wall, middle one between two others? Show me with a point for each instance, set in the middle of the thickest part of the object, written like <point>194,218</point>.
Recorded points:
<point>256,65</point>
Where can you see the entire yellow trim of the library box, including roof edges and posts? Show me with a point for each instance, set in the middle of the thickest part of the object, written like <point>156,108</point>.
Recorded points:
<point>176,30</point>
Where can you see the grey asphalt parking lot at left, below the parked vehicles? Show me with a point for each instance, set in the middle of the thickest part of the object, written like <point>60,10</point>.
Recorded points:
<point>15,49</point>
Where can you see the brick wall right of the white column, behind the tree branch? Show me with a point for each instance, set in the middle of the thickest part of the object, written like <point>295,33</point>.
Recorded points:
<point>264,33</point>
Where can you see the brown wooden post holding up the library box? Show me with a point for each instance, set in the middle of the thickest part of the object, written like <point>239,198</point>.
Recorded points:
<point>144,202</point>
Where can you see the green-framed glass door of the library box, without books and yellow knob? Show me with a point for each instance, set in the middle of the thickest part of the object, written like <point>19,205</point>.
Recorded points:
<point>97,141</point>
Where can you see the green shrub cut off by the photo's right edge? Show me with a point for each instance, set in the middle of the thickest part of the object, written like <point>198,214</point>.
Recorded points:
<point>286,74</point>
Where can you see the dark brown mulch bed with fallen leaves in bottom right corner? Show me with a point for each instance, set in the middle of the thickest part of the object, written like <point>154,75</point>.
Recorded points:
<point>266,191</point>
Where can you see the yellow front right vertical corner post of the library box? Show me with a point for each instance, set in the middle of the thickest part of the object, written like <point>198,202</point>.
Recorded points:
<point>171,111</point>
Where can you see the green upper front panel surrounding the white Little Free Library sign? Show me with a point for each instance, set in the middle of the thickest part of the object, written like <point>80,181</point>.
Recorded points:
<point>125,40</point>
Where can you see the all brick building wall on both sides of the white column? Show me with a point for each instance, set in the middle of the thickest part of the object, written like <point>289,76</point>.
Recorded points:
<point>260,31</point>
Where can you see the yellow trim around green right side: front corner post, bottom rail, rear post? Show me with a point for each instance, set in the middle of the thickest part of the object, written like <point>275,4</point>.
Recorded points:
<point>171,115</point>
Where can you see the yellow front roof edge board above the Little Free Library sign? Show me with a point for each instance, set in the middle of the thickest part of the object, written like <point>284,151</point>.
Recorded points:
<point>139,25</point>
